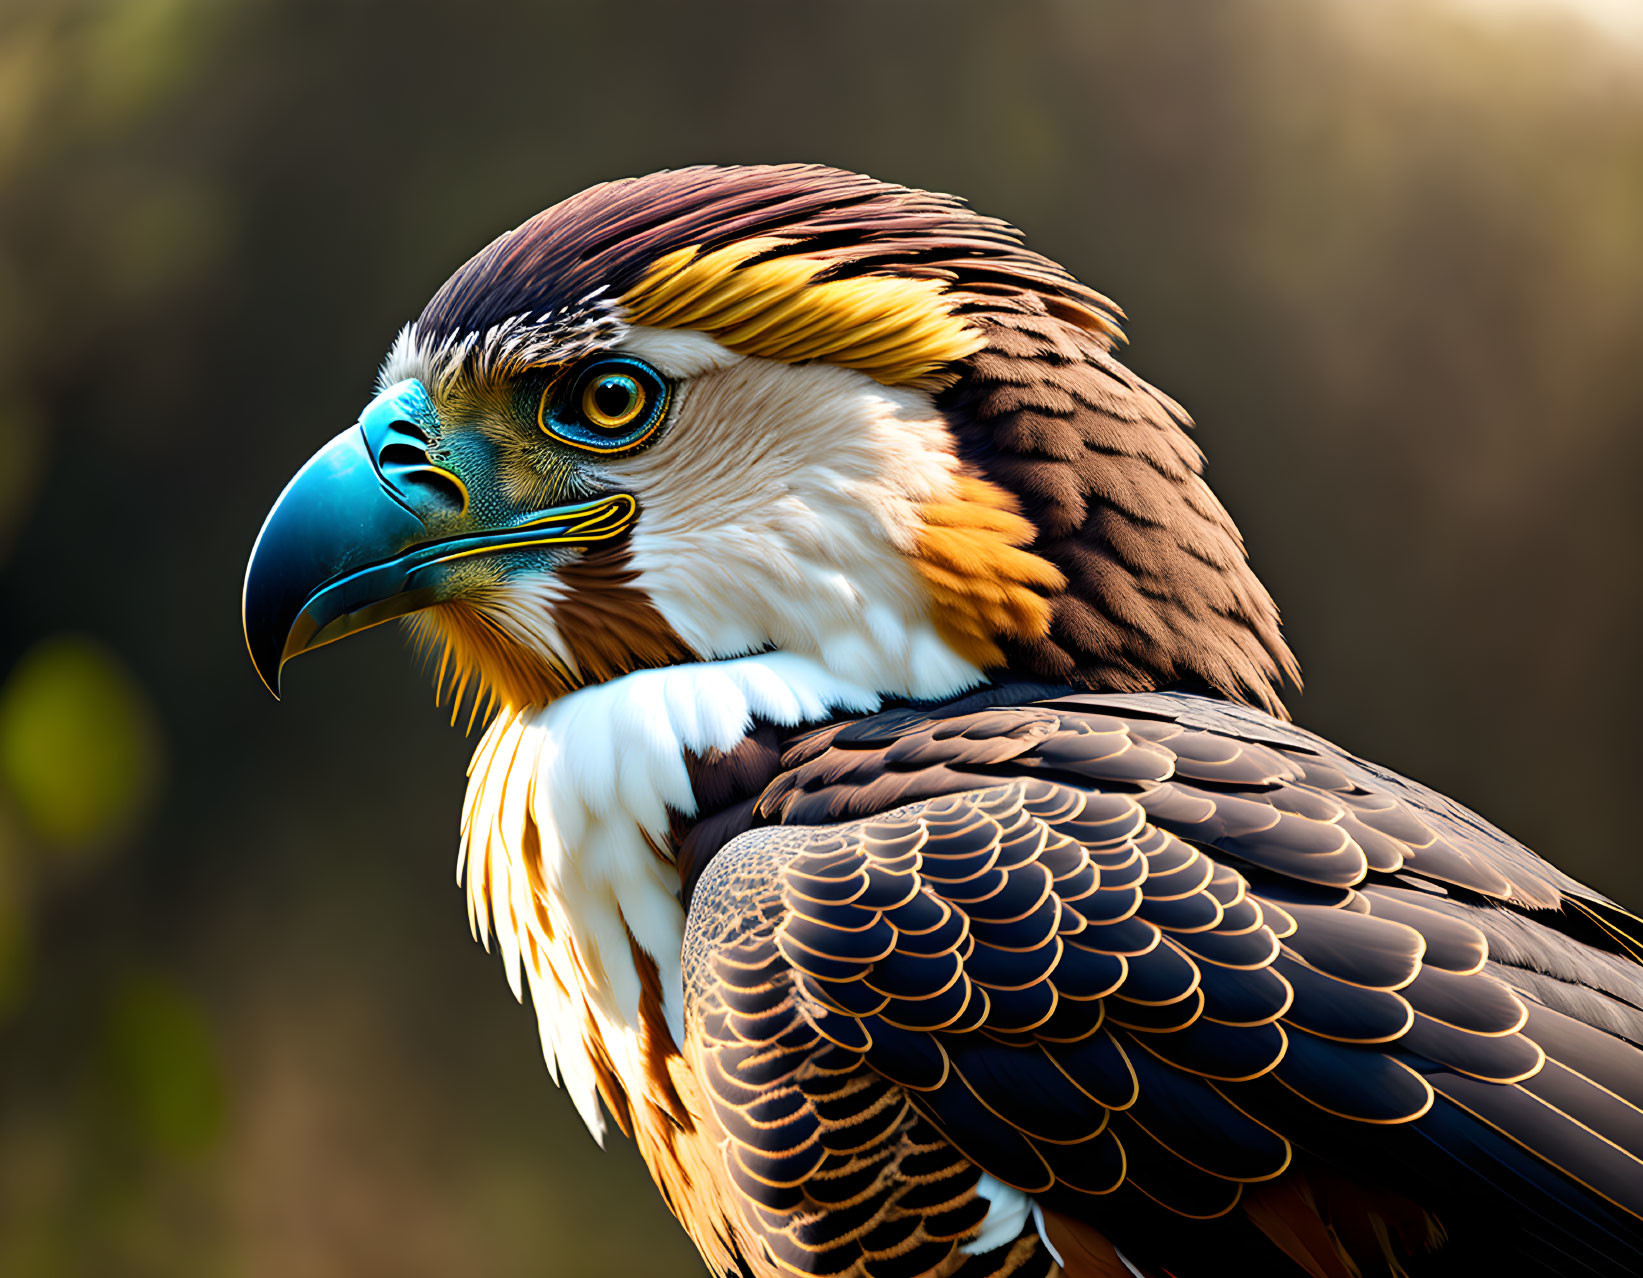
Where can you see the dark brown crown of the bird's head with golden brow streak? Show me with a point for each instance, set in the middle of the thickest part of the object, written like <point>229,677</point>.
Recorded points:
<point>791,262</point>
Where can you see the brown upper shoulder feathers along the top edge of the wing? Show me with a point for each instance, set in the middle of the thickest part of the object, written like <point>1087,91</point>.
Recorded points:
<point>1200,766</point>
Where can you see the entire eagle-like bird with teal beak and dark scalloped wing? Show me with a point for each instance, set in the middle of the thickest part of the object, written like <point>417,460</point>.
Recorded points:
<point>886,796</point>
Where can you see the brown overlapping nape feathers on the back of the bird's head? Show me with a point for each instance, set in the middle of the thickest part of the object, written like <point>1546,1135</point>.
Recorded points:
<point>1157,587</point>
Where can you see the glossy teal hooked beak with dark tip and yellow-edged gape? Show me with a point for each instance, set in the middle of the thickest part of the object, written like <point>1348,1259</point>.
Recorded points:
<point>370,528</point>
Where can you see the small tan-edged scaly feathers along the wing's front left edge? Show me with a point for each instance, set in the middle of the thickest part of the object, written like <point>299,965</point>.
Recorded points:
<point>835,1170</point>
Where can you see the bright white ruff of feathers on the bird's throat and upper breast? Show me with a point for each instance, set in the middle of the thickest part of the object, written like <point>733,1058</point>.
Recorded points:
<point>563,829</point>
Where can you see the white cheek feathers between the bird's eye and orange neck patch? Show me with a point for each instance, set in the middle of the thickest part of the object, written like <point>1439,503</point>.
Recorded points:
<point>780,508</point>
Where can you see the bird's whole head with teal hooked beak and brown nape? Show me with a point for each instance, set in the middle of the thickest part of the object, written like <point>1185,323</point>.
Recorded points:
<point>768,410</point>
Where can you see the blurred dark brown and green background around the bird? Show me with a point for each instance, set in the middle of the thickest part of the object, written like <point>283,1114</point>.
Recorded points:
<point>1389,255</point>
